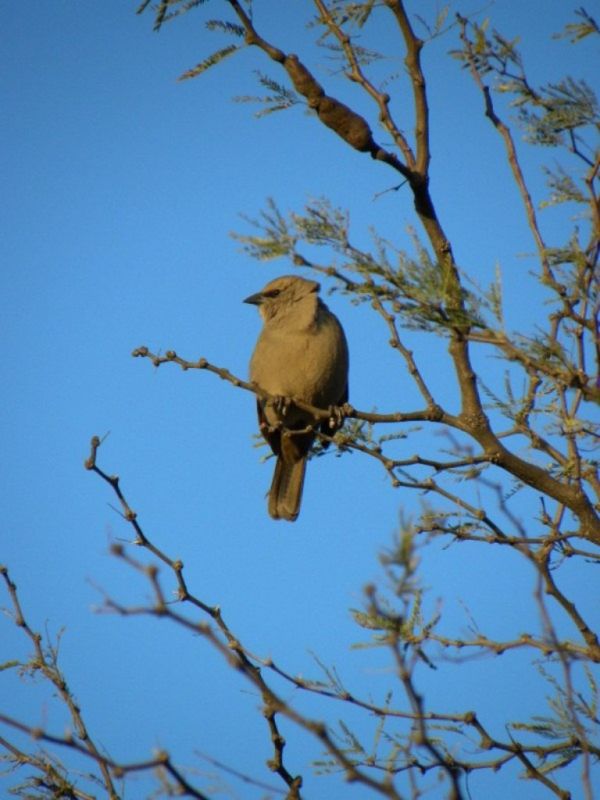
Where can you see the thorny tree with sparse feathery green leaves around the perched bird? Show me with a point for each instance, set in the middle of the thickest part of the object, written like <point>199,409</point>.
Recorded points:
<point>514,470</point>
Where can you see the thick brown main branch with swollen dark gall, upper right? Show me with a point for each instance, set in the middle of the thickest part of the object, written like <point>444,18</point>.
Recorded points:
<point>355,131</point>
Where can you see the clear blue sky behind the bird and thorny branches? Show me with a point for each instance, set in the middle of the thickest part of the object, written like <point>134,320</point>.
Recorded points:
<point>121,189</point>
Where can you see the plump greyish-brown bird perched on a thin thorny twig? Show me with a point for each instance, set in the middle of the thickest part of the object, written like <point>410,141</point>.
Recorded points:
<point>301,353</point>
